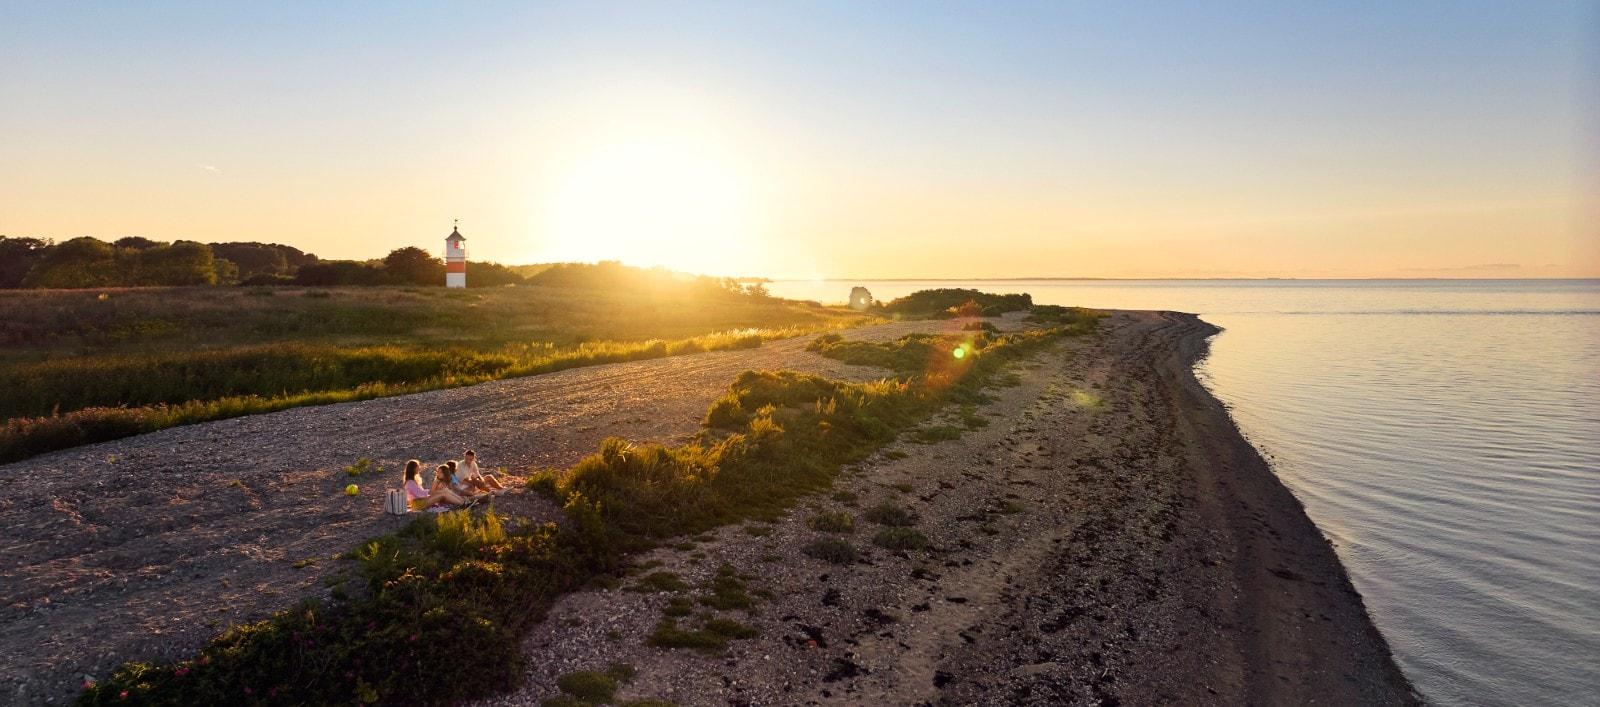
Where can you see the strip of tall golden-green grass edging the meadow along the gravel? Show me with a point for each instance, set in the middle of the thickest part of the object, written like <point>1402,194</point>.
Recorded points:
<point>410,372</point>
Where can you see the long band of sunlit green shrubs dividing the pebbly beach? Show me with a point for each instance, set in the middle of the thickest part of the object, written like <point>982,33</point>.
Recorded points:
<point>460,591</point>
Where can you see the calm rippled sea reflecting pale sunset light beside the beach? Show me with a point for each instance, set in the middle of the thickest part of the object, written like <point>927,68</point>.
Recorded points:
<point>1444,434</point>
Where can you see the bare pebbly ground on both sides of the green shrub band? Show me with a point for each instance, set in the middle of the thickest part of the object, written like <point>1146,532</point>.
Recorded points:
<point>1108,537</point>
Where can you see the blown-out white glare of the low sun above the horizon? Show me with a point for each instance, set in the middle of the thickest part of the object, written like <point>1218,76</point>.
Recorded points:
<point>673,202</point>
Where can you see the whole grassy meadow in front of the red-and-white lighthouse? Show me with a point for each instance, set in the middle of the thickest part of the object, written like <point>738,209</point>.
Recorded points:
<point>98,365</point>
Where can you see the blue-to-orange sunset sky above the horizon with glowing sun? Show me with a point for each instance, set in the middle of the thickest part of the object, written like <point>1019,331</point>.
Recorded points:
<point>825,140</point>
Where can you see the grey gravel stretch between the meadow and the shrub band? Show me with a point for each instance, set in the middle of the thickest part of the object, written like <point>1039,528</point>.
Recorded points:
<point>145,548</point>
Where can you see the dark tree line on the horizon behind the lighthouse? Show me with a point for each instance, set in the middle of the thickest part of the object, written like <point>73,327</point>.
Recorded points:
<point>137,262</point>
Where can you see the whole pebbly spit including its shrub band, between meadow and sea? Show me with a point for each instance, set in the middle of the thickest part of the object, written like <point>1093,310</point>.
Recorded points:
<point>778,535</point>
